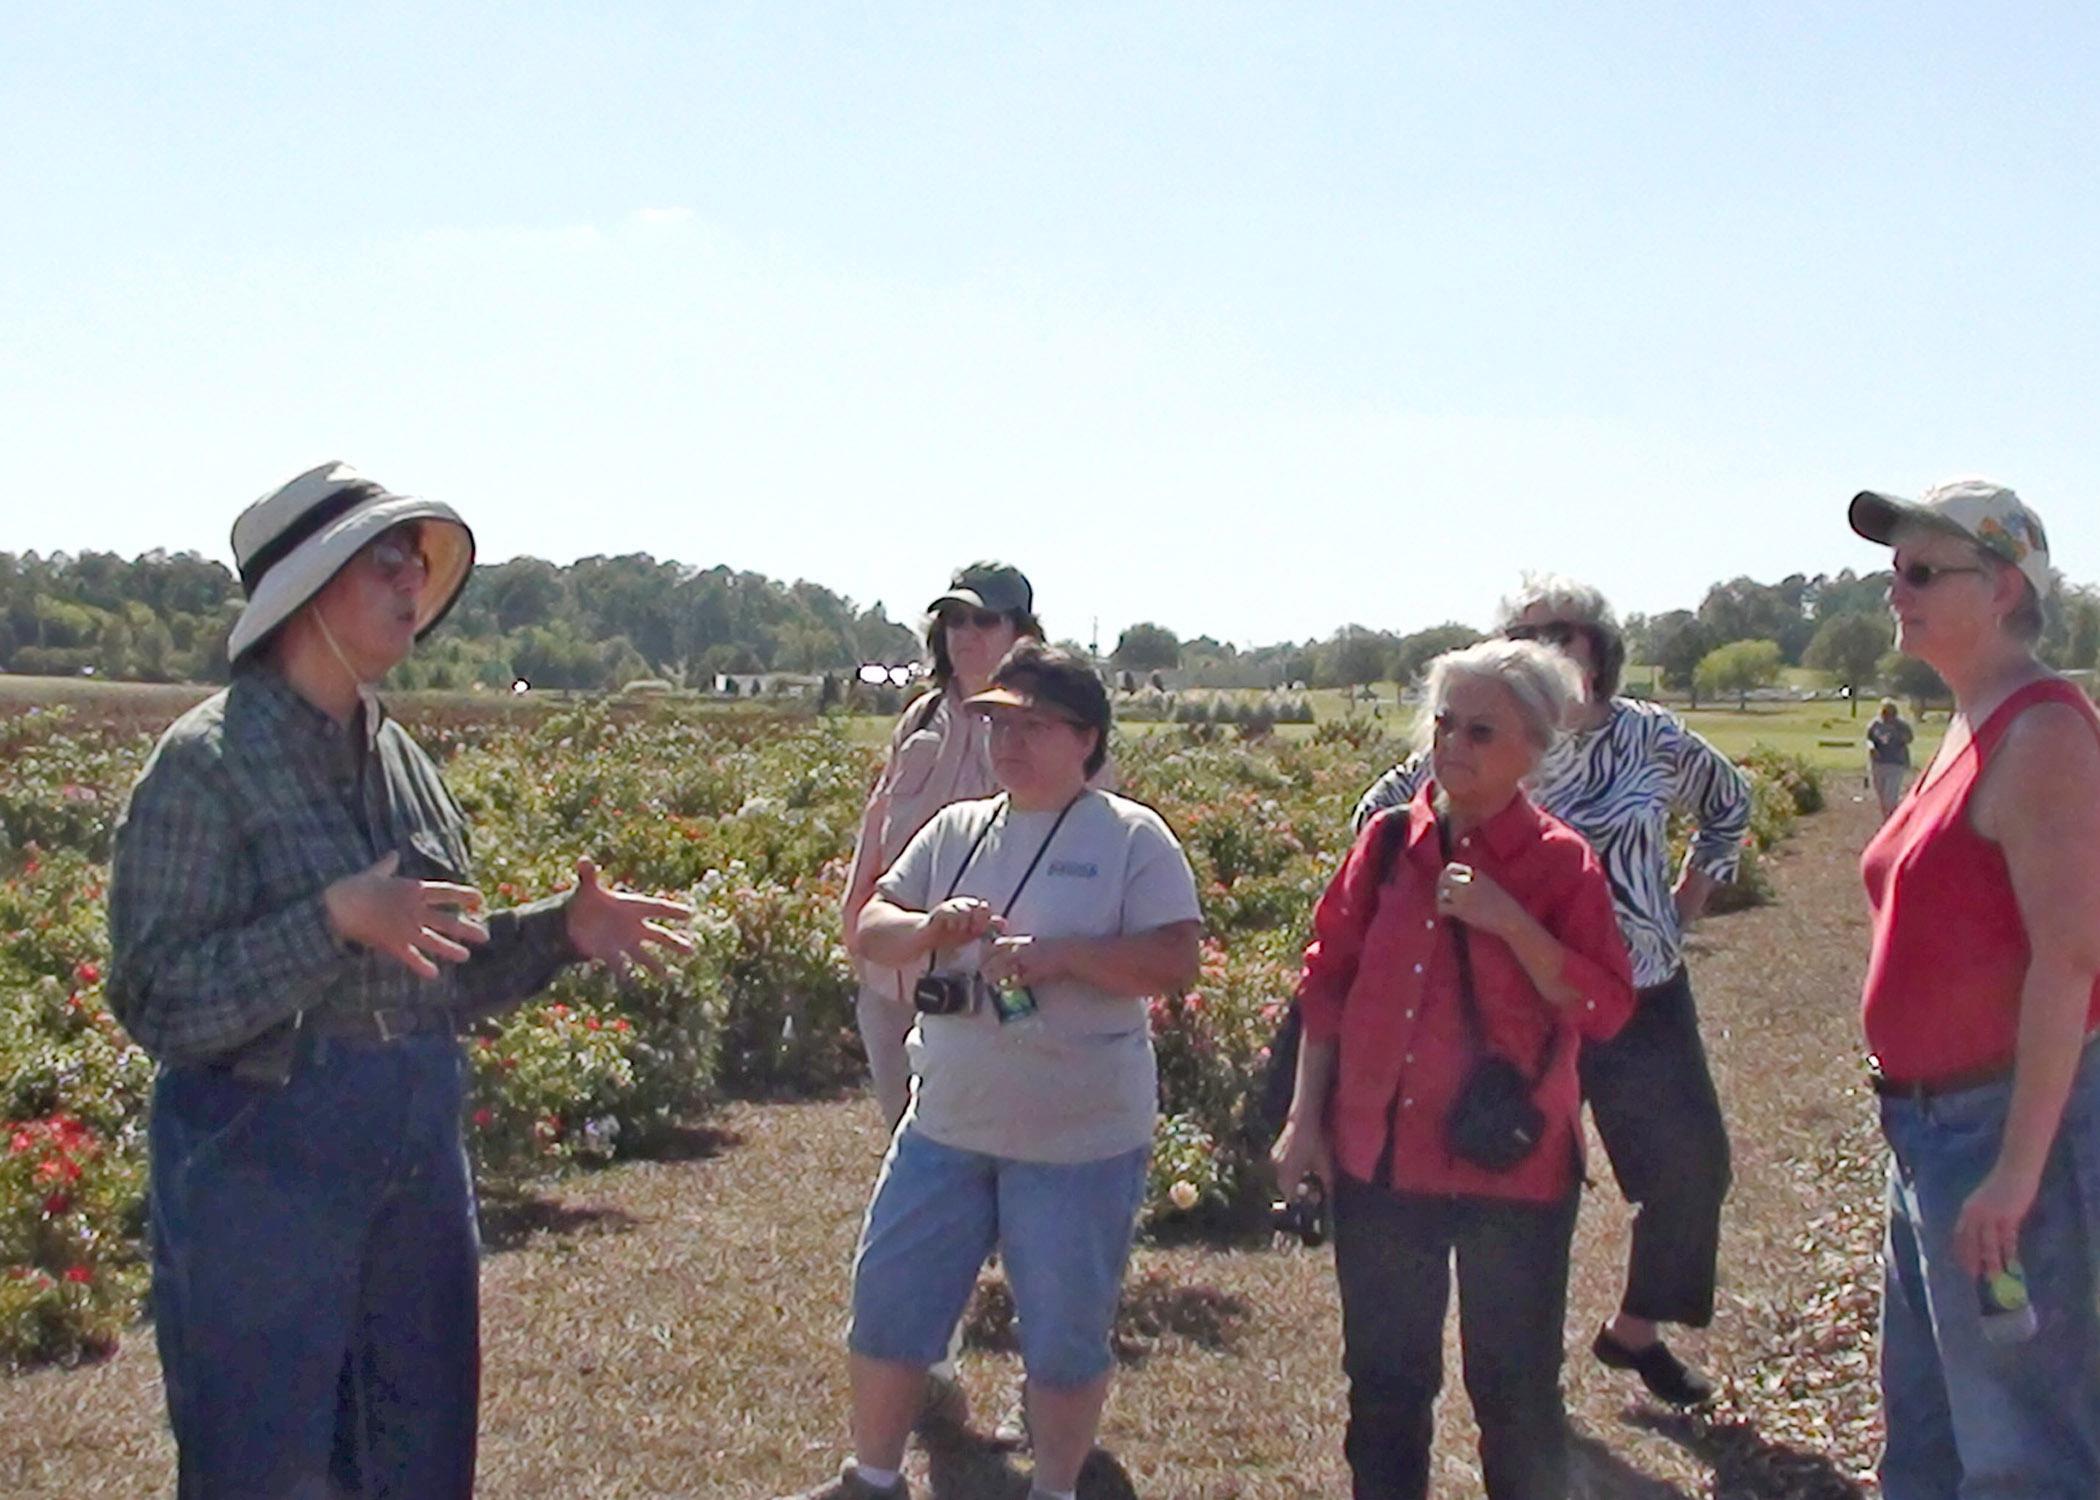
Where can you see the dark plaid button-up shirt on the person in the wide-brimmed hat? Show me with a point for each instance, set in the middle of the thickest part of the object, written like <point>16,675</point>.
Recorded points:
<point>249,810</point>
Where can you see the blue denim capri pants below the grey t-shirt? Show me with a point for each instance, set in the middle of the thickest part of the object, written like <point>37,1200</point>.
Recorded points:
<point>1062,1228</point>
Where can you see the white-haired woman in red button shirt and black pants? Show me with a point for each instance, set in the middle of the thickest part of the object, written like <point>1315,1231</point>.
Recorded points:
<point>1387,1047</point>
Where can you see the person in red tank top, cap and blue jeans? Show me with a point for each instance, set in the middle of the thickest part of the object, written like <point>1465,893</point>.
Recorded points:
<point>1981,1009</point>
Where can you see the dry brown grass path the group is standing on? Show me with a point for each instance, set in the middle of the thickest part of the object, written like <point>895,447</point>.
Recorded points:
<point>675,1329</point>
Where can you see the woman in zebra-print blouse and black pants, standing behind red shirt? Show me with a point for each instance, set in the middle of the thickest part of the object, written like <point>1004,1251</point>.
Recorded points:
<point>1618,778</point>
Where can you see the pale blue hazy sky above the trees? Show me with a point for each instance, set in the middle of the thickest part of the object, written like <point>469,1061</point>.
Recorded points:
<point>1251,320</point>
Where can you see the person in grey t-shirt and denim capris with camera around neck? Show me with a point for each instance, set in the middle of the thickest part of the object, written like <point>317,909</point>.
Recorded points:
<point>1036,923</point>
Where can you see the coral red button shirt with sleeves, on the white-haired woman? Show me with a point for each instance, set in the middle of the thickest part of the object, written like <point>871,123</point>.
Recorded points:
<point>1381,978</point>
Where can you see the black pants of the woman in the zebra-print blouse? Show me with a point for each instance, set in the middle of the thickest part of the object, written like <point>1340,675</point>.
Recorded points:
<point>1656,1108</point>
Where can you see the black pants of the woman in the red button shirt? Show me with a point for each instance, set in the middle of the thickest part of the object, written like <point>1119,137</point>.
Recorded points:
<point>1393,1259</point>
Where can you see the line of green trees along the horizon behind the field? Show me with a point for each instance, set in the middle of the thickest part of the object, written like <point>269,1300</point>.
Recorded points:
<point>606,621</point>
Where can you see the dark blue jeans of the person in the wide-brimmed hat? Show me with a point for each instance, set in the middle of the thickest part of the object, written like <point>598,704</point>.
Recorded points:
<point>316,1274</point>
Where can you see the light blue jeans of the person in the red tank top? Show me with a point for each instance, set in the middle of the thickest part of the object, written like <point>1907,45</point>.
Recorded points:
<point>1969,1419</point>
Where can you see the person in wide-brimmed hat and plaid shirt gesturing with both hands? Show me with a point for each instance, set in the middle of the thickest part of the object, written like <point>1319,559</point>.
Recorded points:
<point>297,940</point>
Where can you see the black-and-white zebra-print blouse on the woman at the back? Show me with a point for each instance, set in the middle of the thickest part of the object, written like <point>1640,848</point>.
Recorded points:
<point>1616,787</point>
